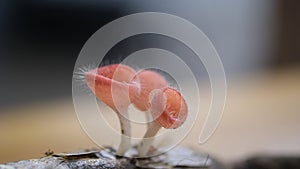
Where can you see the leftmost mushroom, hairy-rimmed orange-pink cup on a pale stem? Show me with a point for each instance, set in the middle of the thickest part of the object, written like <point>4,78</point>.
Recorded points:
<point>111,85</point>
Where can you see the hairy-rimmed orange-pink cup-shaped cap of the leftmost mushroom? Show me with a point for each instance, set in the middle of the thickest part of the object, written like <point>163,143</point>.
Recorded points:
<point>111,84</point>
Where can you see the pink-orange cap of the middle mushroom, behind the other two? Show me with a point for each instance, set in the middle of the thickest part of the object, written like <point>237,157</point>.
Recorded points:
<point>147,81</point>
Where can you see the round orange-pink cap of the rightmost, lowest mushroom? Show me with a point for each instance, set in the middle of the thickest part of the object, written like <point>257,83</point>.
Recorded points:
<point>168,107</point>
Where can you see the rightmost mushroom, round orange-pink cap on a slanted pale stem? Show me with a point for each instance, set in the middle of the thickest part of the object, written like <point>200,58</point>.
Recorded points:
<point>169,109</point>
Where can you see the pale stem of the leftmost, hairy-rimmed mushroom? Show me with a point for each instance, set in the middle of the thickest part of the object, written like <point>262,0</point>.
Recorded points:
<point>126,133</point>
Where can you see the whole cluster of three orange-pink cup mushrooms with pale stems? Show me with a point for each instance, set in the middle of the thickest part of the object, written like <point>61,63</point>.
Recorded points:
<point>118,86</point>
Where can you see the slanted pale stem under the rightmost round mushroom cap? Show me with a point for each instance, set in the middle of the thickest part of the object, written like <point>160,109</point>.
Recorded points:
<point>143,147</point>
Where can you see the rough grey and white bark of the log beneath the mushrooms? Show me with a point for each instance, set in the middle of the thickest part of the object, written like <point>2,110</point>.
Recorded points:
<point>106,159</point>
